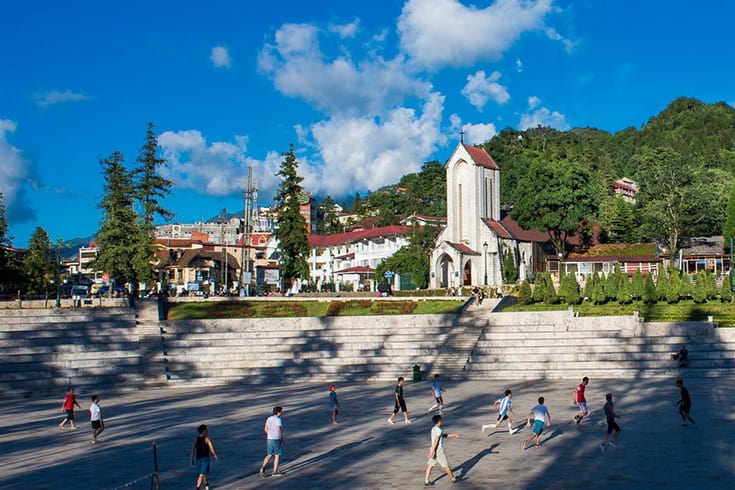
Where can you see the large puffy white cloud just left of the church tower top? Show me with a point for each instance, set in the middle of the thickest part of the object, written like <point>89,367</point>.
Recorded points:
<point>364,152</point>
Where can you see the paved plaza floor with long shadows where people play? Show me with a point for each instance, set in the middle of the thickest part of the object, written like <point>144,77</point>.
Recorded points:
<point>363,451</point>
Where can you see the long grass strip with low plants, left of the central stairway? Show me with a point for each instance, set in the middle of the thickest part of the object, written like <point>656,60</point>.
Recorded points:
<point>271,309</point>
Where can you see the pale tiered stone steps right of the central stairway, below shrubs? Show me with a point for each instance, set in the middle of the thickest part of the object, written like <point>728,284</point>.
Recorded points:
<point>563,345</point>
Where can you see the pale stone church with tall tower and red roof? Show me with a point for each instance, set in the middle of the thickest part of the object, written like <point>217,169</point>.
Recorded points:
<point>470,249</point>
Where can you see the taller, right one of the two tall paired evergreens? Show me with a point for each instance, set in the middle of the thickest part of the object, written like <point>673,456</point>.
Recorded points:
<point>150,190</point>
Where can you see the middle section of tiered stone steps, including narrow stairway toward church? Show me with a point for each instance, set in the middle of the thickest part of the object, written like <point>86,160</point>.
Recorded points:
<point>319,349</point>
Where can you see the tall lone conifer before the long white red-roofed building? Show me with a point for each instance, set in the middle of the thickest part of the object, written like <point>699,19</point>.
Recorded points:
<point>291,232</point>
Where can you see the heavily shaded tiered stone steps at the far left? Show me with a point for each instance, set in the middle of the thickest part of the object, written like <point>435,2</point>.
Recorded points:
<point>43,349</point>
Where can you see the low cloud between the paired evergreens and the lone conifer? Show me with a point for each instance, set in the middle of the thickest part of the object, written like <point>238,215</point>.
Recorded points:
<point>218,168</point>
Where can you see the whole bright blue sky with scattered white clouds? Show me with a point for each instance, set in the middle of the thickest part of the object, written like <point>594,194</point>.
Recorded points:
<point>367,91</point>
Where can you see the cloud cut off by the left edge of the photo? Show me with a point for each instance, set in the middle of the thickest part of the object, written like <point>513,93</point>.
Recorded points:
<point>15,173</point>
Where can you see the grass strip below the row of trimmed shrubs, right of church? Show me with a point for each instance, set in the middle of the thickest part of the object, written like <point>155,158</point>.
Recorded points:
<point>723,313</point>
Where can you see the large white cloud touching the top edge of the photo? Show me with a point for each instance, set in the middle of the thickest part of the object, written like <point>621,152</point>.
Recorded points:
<point>437,33</point>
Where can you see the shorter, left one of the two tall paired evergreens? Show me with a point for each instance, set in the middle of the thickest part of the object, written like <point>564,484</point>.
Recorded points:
<point>120,228</point>
